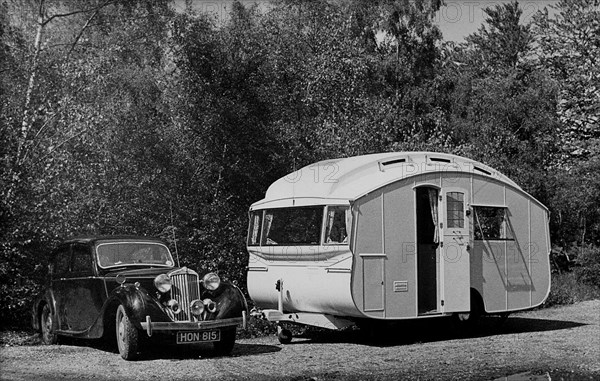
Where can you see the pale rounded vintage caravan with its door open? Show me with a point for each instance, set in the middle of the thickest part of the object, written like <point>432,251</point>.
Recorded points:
<point>396,236</point>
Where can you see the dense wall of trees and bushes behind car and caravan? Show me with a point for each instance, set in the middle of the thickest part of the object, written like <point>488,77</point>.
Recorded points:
<point>130,117</point>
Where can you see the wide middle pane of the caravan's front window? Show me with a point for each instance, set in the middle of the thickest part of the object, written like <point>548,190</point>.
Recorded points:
<point>292,226</point>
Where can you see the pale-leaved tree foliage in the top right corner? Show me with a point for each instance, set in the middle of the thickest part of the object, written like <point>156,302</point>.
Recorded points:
<point>569,47</point>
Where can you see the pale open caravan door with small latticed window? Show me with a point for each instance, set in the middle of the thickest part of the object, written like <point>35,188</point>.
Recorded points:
<point>455,260</point>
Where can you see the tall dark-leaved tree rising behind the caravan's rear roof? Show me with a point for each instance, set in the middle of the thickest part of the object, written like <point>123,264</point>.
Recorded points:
<point>502,111</point>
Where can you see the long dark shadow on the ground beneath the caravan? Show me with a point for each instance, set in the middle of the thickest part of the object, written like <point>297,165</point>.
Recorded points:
<point>430,330</point>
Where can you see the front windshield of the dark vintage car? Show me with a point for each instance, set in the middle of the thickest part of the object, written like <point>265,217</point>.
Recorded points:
<point>113,254</point>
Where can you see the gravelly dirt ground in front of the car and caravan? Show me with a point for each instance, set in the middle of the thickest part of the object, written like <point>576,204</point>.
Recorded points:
<point>555,343</point>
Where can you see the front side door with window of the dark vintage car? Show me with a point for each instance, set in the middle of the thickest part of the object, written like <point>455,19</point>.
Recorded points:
<point>84,291</point>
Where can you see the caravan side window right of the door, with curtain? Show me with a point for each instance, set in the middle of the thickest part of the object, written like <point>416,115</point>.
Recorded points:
<point>491,223</point>
